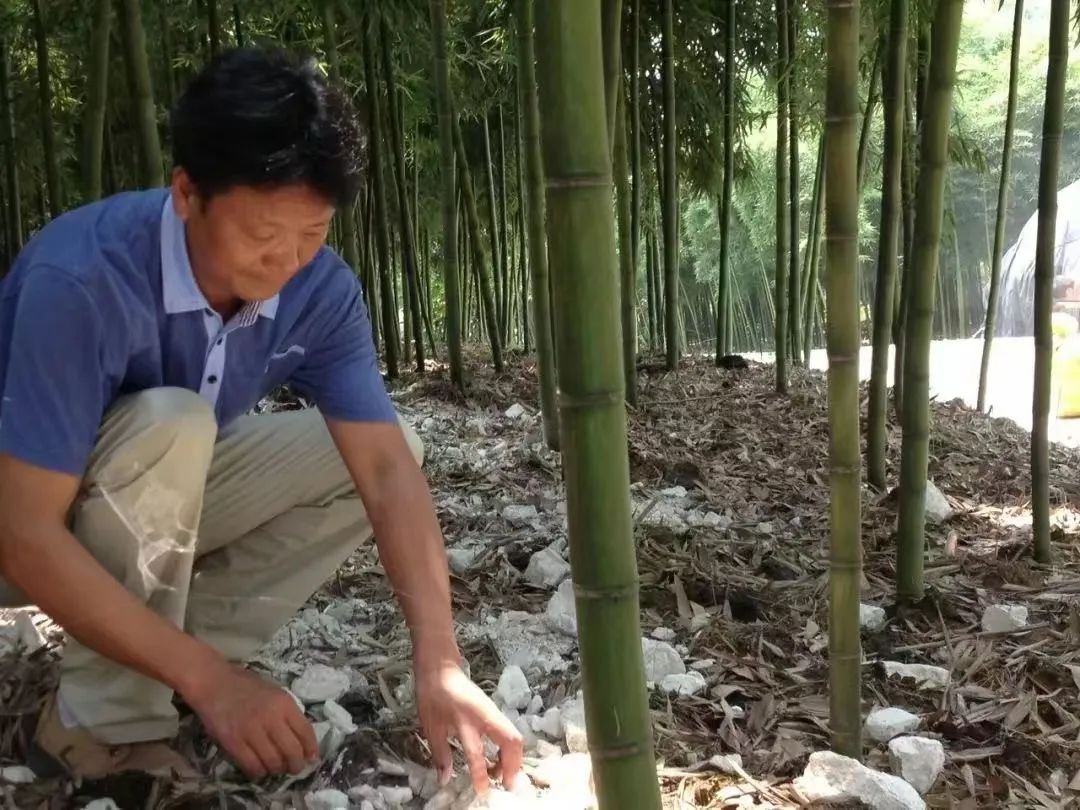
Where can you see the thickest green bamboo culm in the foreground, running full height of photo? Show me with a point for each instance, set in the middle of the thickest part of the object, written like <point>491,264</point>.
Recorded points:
<point>582,240</point>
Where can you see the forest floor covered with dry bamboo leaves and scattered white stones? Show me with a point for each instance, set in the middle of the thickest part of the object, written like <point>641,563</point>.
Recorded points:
<point>736,566</point>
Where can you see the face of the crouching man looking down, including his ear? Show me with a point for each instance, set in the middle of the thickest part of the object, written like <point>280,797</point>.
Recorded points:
<point>247,244</point>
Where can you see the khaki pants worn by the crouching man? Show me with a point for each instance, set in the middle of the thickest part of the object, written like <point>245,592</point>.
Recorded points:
<point>226,536</point>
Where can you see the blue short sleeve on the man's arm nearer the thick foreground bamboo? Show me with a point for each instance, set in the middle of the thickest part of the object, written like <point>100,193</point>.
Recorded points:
<point>342,373</point>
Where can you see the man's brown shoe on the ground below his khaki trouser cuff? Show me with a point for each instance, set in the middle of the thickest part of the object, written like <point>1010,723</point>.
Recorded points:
<point>78,753</point>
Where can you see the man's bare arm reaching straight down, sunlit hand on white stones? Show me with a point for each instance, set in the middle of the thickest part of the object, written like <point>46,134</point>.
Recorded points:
<point>411,547</point>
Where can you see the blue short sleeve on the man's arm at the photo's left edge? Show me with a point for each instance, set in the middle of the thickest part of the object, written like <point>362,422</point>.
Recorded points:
<point>56,386</point>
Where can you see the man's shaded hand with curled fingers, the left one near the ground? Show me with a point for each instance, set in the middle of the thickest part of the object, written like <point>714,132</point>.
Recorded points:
<point>258,723</point>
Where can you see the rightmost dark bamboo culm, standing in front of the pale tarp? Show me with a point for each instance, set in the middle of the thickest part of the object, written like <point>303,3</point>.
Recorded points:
<point>1050,160</point>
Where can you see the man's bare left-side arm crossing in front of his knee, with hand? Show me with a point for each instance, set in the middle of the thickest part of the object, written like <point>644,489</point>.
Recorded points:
<point>256,723</point>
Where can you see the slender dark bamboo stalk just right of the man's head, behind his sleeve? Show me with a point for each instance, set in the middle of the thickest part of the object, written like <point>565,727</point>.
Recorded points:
<point>390,336</point>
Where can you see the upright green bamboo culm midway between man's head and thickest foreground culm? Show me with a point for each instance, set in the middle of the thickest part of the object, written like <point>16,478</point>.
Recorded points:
<point>449,196</point>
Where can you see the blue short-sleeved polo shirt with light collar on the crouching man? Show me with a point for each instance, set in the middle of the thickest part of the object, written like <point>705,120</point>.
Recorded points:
<point>103,303</point>
